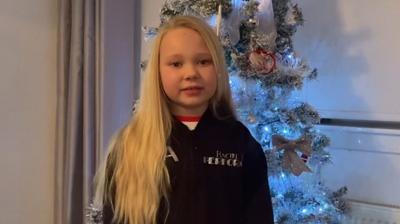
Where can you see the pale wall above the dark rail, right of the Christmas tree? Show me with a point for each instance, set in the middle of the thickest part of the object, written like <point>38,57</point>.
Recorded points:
<point>354,44</point>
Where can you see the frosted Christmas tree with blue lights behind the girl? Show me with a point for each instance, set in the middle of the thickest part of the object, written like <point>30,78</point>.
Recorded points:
<point>264,72</point>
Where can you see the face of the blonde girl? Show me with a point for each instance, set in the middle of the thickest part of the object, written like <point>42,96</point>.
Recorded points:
<point>187,71</point>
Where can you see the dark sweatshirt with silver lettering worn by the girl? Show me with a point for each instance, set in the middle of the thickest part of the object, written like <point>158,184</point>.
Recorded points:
<point>218,175</point>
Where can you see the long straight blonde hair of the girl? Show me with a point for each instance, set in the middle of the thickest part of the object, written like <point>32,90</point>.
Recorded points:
<point>135,178</point>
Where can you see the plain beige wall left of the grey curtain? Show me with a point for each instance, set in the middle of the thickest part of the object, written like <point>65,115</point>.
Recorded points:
<point>28,32</point>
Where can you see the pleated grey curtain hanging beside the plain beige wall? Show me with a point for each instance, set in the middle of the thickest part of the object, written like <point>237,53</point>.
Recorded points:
<point>79,92</point>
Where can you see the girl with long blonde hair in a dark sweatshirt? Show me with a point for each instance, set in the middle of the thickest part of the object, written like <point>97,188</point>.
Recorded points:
<point>183,158</point>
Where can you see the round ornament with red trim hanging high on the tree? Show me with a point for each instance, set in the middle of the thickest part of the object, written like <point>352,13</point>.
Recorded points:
<point>262,61</point>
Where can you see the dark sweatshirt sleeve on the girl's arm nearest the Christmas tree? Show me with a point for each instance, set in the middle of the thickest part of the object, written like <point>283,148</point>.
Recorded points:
<point>258,205</point>
